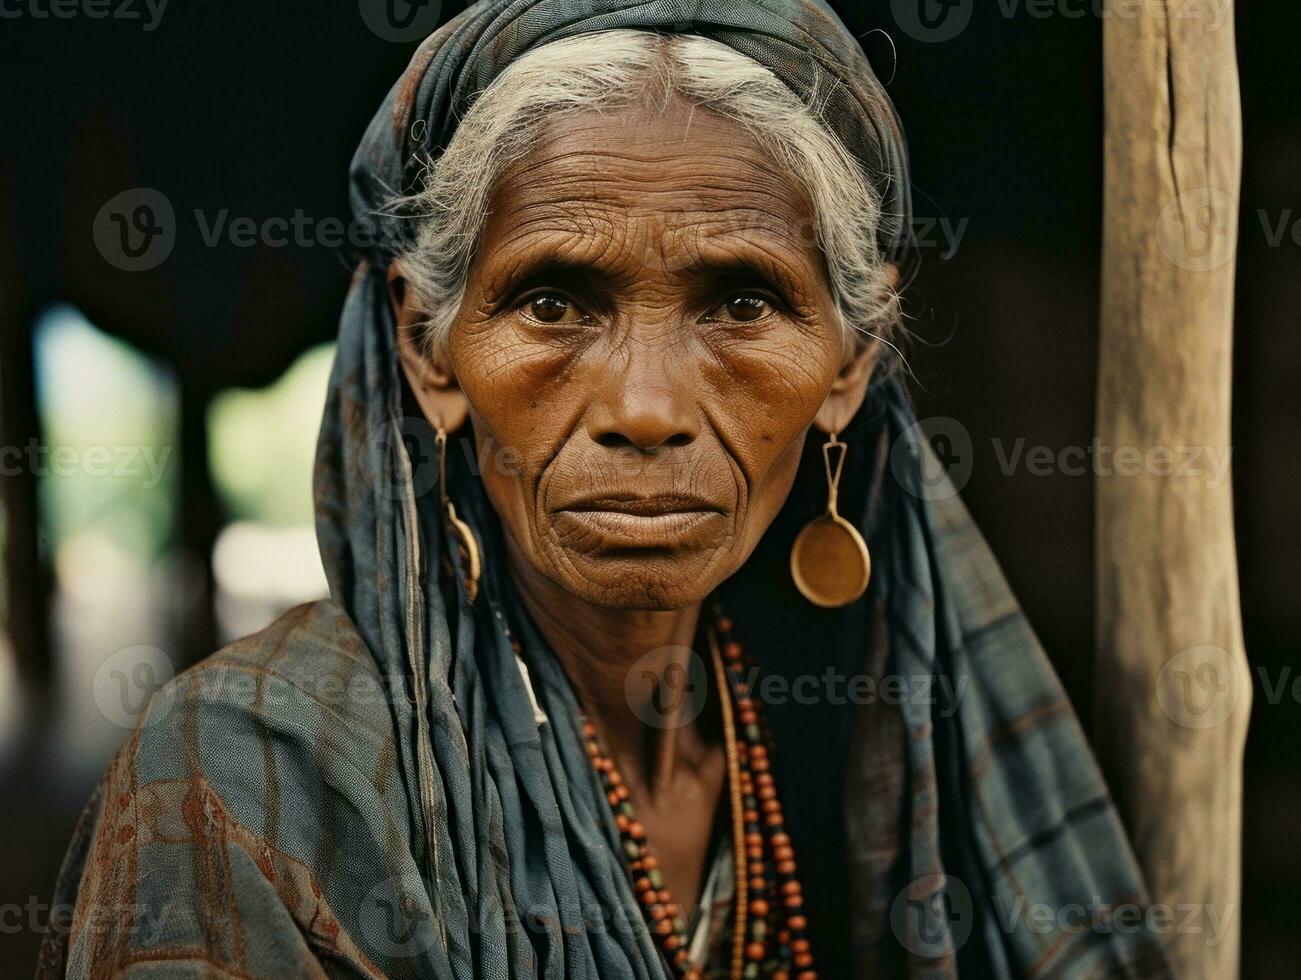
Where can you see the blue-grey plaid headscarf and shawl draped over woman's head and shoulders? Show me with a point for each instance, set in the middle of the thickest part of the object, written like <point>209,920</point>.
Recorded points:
<point>379,785</point>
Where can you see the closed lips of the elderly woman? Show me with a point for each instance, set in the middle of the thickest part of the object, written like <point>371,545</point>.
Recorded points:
<point>642,523</point>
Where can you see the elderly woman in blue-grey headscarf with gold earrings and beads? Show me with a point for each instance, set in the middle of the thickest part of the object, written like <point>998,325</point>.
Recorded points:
<point>656,645</point>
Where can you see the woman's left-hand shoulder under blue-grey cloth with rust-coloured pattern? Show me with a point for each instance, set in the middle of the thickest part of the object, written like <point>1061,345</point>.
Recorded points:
<point>224,813</point>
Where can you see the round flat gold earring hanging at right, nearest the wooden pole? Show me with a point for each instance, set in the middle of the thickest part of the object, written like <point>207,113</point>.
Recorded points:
<point>831,563</point>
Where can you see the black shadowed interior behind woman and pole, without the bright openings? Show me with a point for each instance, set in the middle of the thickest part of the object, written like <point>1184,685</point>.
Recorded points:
<point>258,107</point>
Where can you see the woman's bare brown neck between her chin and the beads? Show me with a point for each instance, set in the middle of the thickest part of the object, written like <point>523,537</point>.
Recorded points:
<point>634,675</point>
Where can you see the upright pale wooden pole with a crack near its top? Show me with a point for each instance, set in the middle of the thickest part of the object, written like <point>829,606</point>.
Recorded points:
<point>1173,690</point>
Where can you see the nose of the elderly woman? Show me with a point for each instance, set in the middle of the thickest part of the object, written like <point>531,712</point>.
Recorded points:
<point>646,403</point>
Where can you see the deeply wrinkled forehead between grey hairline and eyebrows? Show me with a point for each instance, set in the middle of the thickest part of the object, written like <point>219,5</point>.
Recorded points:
<point>680,185</point>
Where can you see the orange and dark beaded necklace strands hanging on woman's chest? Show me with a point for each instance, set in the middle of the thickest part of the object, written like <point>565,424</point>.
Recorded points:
<point>771,931</point>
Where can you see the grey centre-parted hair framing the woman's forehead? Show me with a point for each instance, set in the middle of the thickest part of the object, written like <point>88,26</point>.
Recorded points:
<point>619,68</point>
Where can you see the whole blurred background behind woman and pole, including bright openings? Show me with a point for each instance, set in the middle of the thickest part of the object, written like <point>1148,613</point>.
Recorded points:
<point>174,254</point>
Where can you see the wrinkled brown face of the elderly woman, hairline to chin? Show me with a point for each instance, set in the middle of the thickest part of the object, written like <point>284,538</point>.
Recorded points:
<point>647,335</point>
